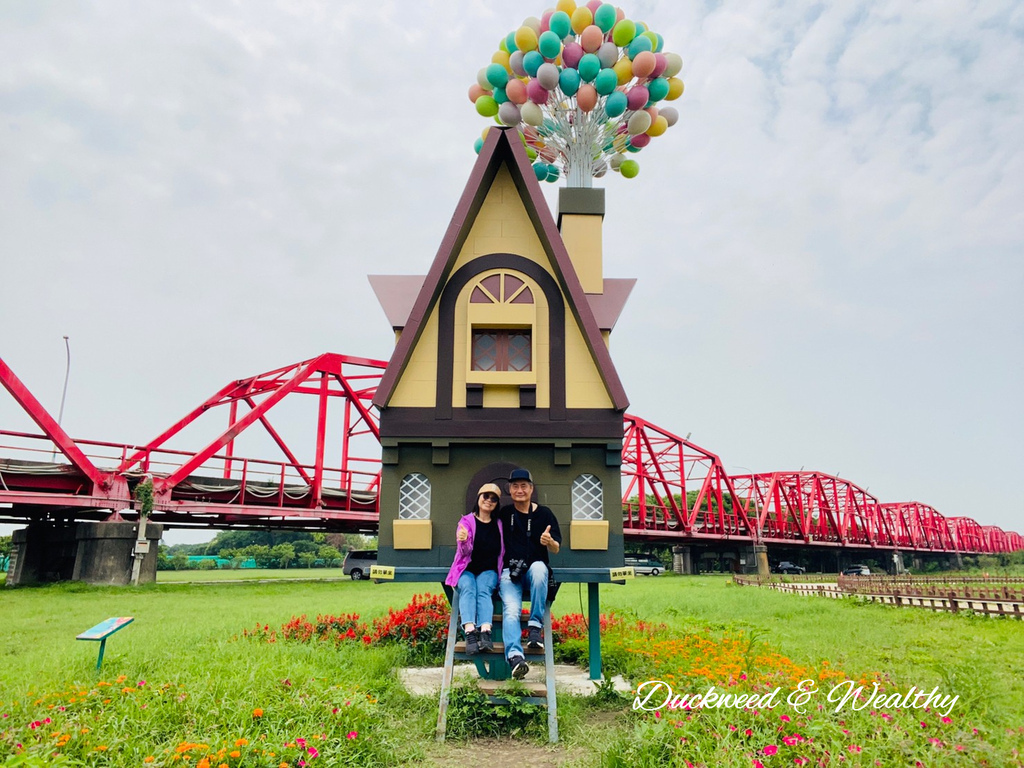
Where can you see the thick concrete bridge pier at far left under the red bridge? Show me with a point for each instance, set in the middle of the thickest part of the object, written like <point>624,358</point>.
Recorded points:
<point>93,552</point>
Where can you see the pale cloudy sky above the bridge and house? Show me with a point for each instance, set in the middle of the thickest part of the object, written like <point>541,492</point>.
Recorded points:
<point>829,244</point>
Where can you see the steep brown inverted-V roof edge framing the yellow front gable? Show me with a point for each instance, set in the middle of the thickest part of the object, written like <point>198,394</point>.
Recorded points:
<point>501,148</point>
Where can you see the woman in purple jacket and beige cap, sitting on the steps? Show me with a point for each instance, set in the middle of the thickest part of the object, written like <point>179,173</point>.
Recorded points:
<point>479,557</point>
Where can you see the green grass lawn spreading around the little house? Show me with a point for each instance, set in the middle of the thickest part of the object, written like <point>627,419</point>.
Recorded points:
<point>182,674</point>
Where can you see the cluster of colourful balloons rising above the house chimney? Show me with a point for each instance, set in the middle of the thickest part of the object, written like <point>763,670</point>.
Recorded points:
<point>583,86</point>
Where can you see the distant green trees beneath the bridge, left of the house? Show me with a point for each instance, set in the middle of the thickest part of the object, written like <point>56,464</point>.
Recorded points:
<point>264,549</point>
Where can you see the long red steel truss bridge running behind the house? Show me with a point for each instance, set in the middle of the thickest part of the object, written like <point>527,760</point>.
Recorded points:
<point>673,491</point>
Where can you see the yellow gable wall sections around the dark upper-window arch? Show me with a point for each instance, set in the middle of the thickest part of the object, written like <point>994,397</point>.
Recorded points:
<point>503,226</point>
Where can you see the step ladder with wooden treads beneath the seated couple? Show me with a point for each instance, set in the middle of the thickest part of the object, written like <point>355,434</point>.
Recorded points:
<point>495,671</point>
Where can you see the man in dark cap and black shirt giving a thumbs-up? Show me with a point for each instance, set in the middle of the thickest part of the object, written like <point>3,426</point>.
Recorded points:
<point>532,534</point>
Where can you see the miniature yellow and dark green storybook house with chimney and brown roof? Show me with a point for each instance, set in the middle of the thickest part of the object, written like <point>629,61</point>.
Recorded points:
<point>502,362</point>
